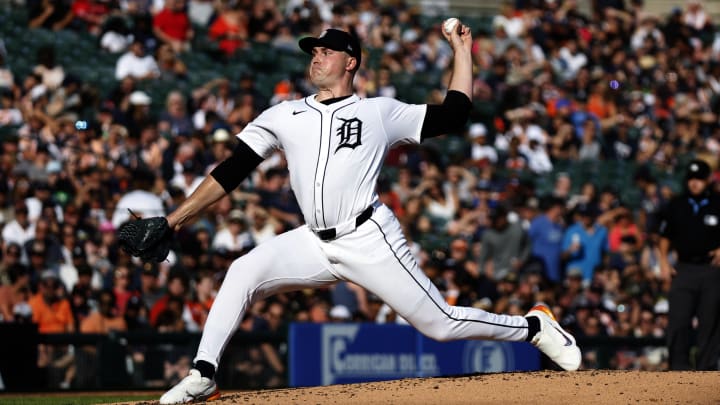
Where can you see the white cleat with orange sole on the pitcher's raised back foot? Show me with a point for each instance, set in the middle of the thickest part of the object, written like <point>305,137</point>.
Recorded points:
<point>552,340</point>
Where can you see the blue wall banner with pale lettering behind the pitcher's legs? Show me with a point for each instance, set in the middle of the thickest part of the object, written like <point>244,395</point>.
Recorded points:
<point>340,353</point>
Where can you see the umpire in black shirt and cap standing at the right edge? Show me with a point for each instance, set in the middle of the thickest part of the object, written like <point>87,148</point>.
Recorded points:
<point>691,226</point>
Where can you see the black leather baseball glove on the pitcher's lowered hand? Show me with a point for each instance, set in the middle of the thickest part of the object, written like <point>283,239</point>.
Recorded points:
<point>148,238</point>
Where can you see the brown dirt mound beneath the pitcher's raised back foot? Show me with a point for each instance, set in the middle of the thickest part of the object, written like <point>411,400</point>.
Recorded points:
<point>582,387</point>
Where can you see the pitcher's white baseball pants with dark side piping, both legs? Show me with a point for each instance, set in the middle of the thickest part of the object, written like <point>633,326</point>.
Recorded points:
<point>375,257</point>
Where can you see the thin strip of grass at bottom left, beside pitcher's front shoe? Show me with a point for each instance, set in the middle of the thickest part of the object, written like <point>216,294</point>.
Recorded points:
<point>70,399</point>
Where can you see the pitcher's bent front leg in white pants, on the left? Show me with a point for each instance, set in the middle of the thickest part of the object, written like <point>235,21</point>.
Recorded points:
<point>289,262</point>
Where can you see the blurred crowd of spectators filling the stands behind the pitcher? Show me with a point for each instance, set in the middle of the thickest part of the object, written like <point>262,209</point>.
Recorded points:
<point>478,221</point>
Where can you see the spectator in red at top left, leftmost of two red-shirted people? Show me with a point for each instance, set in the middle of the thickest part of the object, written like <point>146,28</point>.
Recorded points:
<point>172,26</point>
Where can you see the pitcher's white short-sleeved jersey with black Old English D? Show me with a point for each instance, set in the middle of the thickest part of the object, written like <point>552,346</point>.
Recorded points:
<point>334,152</point>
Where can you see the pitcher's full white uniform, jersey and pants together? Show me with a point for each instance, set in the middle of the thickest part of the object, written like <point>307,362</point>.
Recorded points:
<point>334,156</point>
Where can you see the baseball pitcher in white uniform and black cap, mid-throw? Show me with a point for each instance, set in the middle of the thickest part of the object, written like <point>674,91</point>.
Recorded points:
<point>335,143</point>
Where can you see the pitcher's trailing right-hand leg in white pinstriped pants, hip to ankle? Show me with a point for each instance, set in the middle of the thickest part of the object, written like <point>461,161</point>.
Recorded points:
<point>377,257</point>
